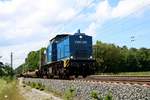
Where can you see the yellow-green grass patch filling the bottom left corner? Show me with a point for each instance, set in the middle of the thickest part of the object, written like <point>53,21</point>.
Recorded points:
<point>9,90</point>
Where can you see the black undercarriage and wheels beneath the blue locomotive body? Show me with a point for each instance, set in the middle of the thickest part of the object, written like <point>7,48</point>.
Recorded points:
<point>64,69</point>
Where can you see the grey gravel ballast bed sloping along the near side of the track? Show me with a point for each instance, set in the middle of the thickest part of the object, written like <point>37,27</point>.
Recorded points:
<point>83,89</point>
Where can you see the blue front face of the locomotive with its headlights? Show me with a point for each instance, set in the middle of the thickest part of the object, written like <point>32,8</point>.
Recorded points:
<point>80,47</point>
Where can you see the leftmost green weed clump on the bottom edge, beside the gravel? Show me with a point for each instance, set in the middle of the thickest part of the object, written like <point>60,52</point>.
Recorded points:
<point>69,94</point>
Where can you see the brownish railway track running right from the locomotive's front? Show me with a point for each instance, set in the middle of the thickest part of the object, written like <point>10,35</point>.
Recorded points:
<point>139,80</point>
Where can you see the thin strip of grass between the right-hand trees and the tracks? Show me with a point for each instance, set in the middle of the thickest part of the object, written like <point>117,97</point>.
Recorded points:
<point>128,73</point>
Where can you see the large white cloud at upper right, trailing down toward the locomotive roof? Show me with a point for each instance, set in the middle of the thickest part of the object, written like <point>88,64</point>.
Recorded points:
<point>125,8</point>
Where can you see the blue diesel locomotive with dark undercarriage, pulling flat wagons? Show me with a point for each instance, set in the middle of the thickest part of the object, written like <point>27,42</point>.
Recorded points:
<point>68,55</point>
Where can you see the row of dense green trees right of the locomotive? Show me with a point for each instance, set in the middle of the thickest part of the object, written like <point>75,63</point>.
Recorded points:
<point>115,59</point>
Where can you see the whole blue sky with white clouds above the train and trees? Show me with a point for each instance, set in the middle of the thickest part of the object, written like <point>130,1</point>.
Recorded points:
<point>28,25</point>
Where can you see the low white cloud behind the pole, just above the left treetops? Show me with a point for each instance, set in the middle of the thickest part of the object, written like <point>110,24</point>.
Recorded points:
<point>19,52</point>
